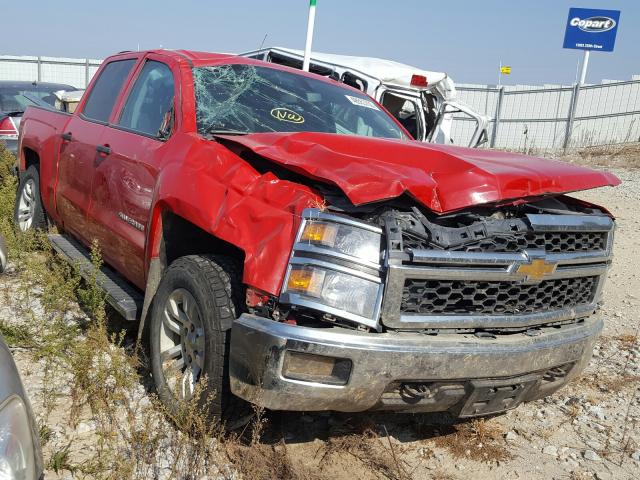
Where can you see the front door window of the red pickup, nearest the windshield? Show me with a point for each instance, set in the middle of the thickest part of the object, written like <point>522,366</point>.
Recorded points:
<point>148,108</point>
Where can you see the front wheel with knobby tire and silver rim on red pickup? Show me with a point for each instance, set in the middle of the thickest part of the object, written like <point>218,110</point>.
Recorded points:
<point>197,296</point>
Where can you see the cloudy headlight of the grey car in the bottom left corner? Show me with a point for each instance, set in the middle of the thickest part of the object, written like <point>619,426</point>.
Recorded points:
<point>16,445</point>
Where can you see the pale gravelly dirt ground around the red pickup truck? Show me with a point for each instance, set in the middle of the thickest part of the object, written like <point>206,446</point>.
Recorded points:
<point>590,429</point>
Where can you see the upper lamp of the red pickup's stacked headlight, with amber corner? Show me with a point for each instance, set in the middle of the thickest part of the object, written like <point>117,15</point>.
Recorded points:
<point>361,243</point>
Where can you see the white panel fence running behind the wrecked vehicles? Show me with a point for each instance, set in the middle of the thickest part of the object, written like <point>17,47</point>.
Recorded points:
<point>522,118</point>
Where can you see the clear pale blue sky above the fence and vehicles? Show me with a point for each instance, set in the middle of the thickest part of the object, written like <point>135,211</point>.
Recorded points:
<point>465,38</point>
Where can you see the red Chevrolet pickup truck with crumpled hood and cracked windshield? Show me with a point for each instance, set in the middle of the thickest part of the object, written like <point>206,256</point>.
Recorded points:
<point>283,235</point>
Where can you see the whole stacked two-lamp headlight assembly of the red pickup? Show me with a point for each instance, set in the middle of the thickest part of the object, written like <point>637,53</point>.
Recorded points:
<point>335,268</point>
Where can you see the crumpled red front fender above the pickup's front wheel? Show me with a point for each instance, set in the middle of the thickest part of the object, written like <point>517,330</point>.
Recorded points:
<point>225,196</point>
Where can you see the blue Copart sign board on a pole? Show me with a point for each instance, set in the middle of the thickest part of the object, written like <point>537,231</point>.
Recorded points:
<point>590,29</point>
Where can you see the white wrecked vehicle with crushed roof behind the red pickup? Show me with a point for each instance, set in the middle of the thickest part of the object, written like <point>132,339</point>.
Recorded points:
<point>423,101</point>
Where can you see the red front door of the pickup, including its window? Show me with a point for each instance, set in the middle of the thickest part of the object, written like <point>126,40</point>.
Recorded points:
<point>124,179</point>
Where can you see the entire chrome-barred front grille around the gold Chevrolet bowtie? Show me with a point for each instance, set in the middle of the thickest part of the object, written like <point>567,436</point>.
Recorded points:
<point>485,285</point>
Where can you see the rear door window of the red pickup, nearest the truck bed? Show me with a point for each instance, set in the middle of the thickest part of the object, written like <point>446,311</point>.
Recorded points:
<point>106,89</point>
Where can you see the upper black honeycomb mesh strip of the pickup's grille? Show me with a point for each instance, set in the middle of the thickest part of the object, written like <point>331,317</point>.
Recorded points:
<point>548,241</point>
